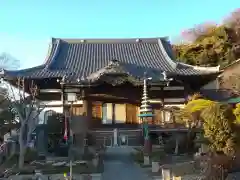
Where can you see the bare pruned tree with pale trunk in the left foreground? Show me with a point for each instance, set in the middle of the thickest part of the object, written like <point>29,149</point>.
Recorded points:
<point>27,109</point>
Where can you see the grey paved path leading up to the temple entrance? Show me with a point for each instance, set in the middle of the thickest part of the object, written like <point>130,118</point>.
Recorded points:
<point>120,166</point>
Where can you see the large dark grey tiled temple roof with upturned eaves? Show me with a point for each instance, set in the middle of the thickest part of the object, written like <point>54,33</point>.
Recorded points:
<point>85,59</point>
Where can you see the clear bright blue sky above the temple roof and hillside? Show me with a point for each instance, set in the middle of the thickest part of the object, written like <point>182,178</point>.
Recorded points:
<point>26,26</point>
